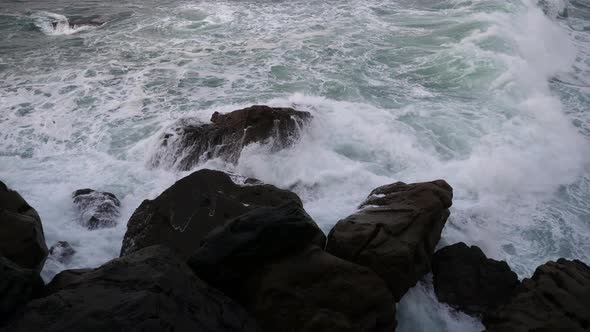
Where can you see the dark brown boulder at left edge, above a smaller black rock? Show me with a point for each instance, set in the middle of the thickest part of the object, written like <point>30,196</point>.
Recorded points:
<point>21,232</point>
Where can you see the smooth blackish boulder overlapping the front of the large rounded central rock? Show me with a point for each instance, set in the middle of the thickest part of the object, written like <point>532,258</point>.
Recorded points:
<point>230,254</point>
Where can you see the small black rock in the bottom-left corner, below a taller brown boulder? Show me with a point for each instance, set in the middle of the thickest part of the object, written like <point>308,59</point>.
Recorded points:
<point>17,287</point>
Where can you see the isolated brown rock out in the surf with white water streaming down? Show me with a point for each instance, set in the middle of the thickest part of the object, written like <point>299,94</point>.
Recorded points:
<point>190,141</point>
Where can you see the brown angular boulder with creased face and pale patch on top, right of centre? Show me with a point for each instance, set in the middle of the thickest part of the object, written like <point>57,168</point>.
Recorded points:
<point>395,232</point>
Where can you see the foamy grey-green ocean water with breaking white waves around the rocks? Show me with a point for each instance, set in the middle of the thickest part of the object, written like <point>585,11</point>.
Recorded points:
<point>491,95</point>
